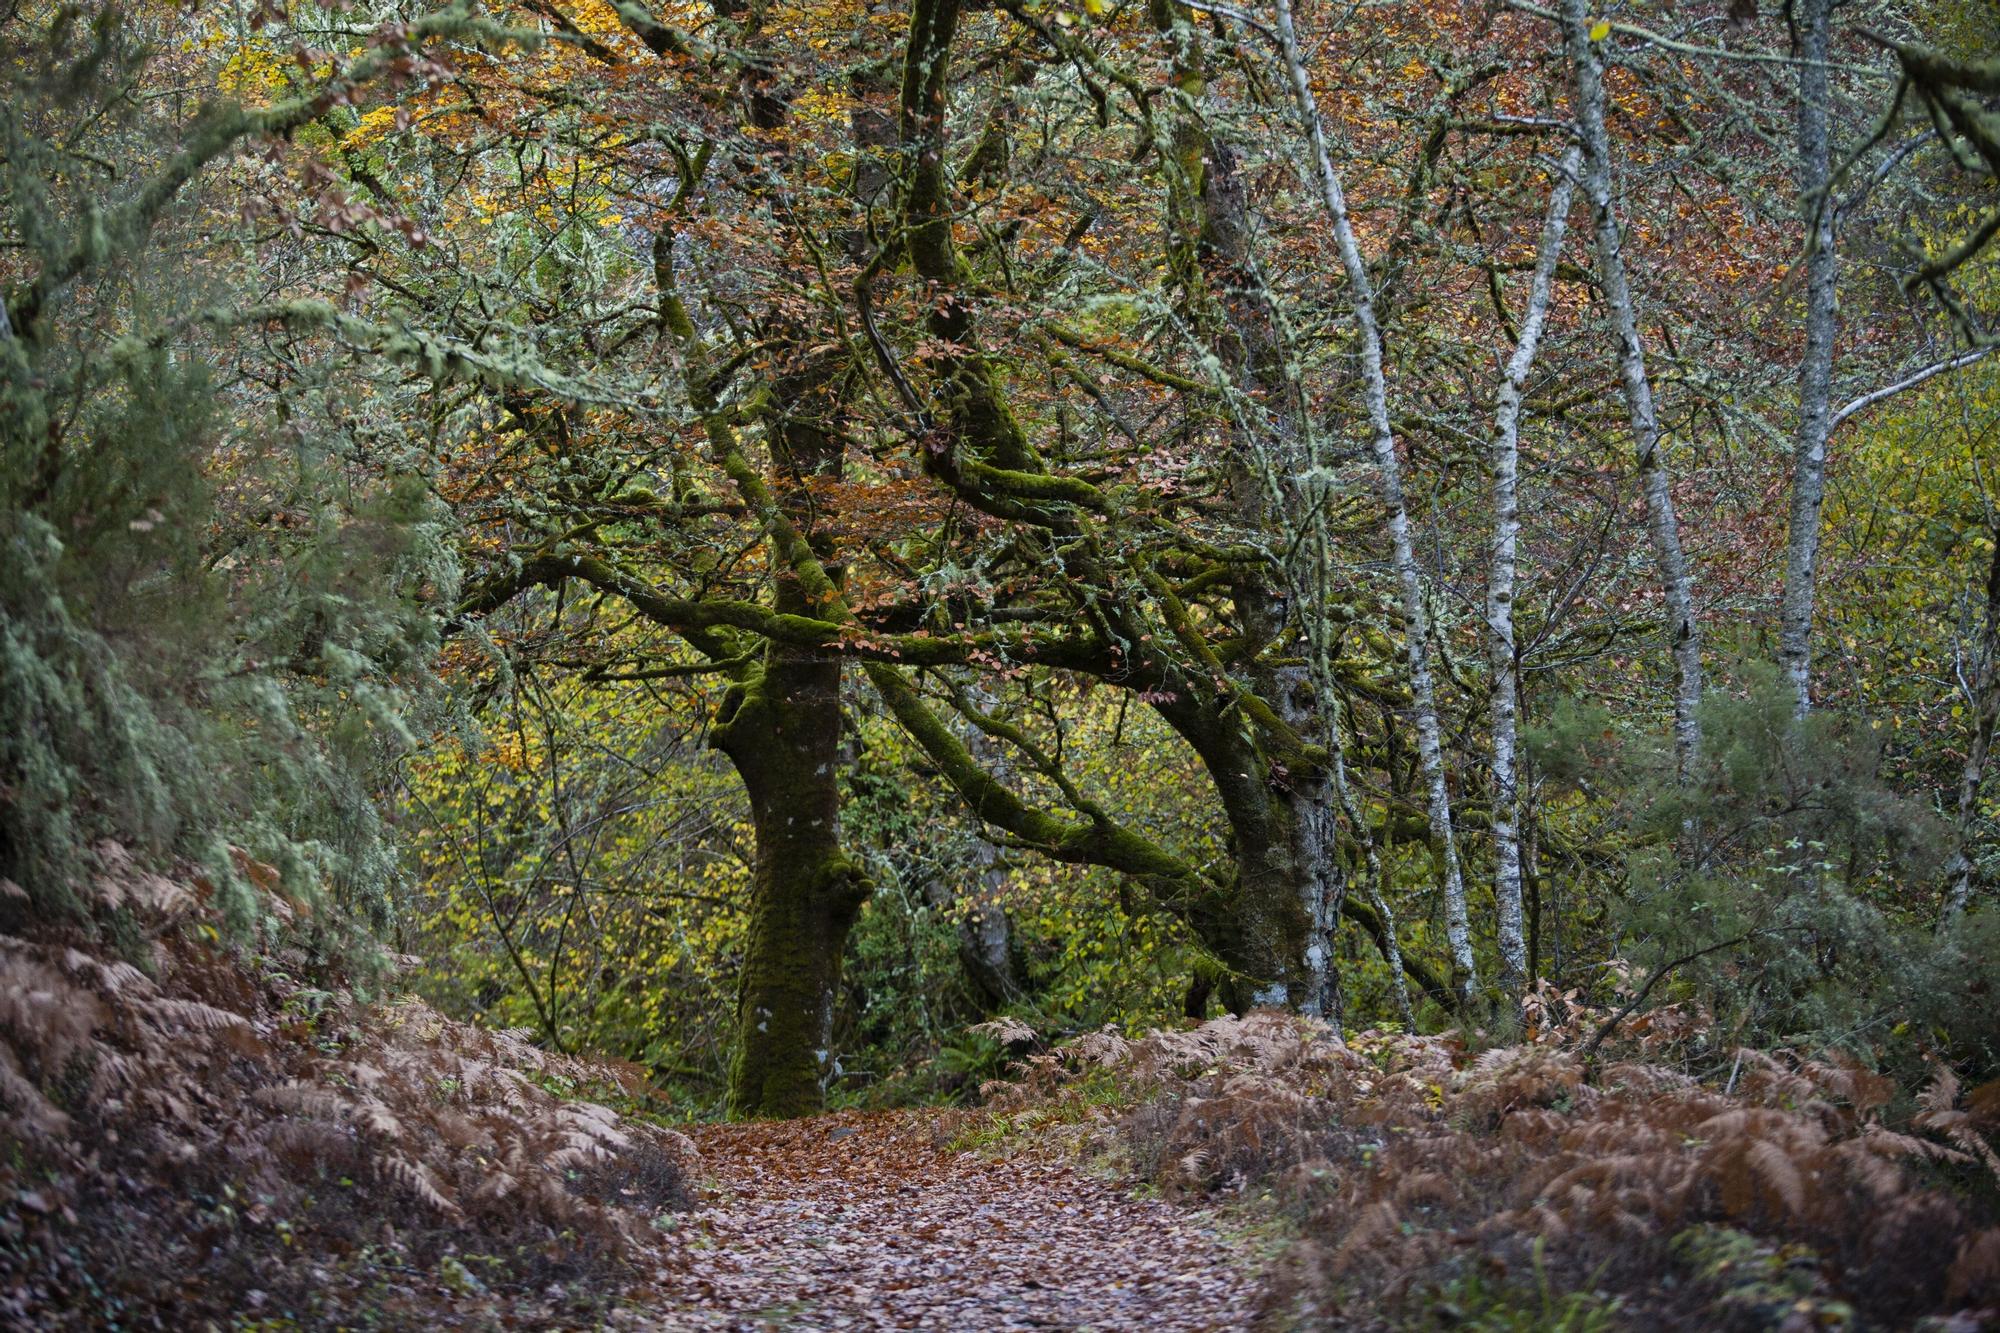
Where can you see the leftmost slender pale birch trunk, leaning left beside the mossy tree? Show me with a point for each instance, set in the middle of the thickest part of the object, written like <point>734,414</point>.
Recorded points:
<point>1389,469</point>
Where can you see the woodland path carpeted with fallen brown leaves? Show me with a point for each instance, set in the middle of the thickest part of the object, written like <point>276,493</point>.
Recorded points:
<point>863,1222</point>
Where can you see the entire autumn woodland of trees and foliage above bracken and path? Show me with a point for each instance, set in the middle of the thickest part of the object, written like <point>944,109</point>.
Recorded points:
<point>819,525</point>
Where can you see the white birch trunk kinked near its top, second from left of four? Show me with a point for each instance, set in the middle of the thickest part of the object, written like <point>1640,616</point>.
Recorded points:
<point>1501,651</point>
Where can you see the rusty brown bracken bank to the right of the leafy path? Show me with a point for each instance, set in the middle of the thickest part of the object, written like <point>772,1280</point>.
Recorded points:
<point>1427,1180</point>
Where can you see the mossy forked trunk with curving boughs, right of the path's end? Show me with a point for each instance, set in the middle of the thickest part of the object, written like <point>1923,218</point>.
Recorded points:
<point>1269,926</point>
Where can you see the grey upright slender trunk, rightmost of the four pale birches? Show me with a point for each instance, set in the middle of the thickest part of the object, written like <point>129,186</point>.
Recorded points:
<point>1817,367</point>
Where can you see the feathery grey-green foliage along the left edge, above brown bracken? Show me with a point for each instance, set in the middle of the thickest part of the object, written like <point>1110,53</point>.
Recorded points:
<point>209,621</point>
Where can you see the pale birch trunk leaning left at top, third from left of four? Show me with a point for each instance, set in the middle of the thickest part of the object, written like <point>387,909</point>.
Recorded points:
<point>1663,527</point>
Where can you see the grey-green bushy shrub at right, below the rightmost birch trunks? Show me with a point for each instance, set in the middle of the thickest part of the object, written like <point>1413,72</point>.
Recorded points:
<point>1787,888</point>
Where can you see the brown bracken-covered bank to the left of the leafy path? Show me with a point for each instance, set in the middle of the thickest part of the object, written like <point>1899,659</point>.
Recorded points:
<point>195,1132</point>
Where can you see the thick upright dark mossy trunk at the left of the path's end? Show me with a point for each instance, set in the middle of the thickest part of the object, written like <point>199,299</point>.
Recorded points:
<point>781,720</point>
